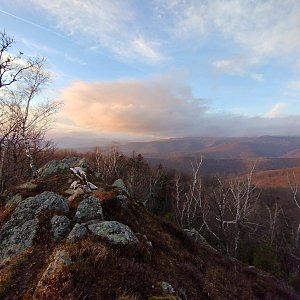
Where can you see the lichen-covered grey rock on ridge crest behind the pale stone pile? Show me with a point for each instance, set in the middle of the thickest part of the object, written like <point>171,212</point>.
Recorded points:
<point>56,166</point>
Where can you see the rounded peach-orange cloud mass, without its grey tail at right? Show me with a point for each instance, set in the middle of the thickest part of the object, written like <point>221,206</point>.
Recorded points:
<point>161,107</point>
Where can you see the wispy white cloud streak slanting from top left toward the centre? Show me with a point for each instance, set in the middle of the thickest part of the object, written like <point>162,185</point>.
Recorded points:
<point>109,24</point>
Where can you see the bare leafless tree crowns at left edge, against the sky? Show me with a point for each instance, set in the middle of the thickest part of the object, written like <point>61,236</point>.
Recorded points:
<point>22,121</point>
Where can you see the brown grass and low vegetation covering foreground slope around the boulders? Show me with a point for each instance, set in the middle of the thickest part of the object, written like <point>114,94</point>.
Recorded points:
<point>104,271</point>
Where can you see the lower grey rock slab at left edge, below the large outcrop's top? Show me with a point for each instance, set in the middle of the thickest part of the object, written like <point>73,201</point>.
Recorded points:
<point>17,239</point>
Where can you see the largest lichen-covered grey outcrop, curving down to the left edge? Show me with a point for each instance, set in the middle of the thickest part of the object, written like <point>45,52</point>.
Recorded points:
<point>18,233</point>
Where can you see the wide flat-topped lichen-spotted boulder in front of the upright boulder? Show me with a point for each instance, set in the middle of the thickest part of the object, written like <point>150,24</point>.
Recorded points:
<point>115,232</point>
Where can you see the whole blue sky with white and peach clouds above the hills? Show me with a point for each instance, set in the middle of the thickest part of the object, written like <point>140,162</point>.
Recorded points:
<point>142,69</point>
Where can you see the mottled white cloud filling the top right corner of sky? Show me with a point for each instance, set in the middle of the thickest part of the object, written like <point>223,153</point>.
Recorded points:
<point>259,30</point>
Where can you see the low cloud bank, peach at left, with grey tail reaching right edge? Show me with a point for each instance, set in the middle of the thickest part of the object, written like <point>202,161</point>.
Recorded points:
<point>161,107</point>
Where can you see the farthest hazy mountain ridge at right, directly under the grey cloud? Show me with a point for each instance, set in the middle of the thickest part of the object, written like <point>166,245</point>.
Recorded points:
<point>219,148</point>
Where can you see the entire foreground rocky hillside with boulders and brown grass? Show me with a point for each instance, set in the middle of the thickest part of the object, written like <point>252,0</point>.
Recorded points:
<point>142,257</point>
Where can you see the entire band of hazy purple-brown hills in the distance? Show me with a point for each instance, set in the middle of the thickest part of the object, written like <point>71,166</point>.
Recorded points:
<point>222,155</point>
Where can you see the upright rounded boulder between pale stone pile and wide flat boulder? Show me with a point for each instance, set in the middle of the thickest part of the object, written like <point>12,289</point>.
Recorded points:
<point>89,209</point>
